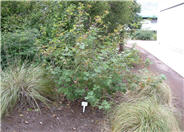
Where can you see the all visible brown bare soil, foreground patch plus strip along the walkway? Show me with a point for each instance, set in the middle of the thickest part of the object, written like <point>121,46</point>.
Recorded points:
<point>69,117</point>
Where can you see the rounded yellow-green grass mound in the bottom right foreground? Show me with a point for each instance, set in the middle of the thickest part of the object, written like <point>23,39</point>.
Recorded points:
<point>143,116</point>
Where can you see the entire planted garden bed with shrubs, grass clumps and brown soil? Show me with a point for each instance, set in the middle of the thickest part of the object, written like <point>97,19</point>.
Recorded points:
<point>72,56</point>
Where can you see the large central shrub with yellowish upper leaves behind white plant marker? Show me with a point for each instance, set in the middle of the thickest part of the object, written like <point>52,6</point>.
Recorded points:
<point>85,62</point>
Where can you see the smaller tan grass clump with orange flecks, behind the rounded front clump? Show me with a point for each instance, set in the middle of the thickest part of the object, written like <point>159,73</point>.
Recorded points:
<point>151,85</point>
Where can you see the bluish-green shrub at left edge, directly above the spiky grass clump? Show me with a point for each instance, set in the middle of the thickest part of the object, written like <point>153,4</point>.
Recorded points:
<point>19,45</point>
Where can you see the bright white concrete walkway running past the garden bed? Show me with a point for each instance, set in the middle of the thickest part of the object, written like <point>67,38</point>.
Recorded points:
<point>171,57</point>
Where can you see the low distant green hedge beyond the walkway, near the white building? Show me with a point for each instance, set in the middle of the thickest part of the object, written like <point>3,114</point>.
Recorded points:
<point>144,35</point>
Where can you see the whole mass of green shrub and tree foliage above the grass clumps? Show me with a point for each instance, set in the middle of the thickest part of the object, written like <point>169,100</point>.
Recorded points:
<point>75,41</point>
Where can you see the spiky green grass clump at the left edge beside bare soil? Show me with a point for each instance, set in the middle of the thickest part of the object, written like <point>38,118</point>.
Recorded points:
<point>24,84</point>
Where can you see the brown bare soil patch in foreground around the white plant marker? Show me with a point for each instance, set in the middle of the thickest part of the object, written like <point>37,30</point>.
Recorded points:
<point>61,118</point>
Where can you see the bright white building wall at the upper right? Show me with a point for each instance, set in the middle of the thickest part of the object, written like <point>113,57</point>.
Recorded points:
<point>171,28</point>
